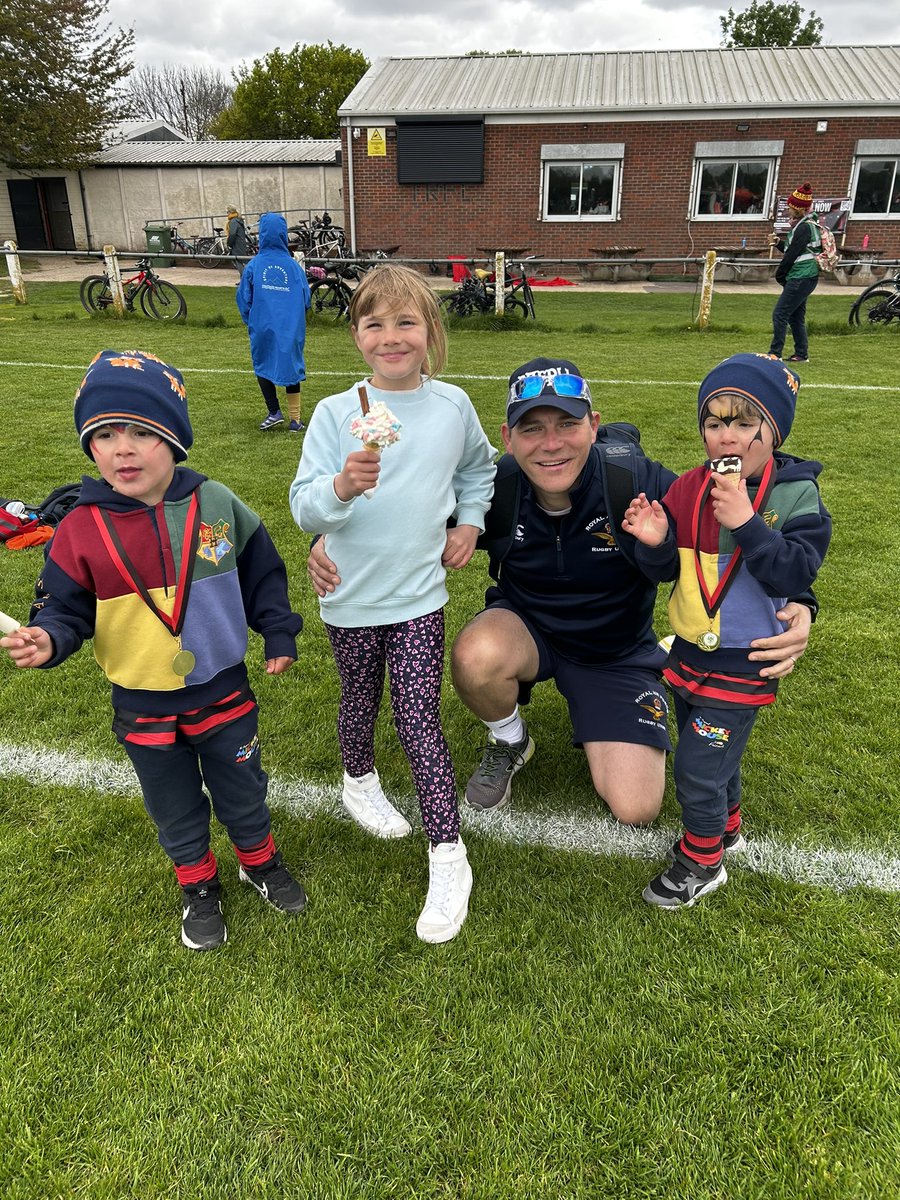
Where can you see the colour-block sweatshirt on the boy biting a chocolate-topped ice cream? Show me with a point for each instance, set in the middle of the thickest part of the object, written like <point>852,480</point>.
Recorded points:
<point>782,550</point>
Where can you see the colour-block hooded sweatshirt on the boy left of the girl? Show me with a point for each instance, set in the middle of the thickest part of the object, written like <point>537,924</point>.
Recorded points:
<point>239,581</point>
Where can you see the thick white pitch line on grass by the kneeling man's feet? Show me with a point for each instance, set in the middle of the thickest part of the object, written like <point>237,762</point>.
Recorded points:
<point>590,835</point>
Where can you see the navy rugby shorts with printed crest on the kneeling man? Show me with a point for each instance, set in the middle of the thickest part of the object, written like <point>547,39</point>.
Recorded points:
<point>613,703</point>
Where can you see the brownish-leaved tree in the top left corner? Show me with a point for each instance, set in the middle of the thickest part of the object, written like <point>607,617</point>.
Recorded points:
<point>62,69</point>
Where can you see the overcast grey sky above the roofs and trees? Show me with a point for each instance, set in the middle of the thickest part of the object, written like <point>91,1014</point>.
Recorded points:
<point>227,33</point>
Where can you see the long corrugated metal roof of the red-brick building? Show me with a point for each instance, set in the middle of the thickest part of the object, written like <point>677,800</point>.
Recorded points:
<point>854,77</point>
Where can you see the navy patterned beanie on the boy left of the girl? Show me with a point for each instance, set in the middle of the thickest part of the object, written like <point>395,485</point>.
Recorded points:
<point>134,388</point>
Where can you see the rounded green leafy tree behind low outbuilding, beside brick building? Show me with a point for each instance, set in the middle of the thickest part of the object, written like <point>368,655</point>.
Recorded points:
<point>293,95</point>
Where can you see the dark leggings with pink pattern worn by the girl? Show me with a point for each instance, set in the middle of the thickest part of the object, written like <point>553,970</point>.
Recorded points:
<point>413,653</point>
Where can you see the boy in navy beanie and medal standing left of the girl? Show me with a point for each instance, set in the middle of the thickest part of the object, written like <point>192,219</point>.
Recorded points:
<point>165,569</point>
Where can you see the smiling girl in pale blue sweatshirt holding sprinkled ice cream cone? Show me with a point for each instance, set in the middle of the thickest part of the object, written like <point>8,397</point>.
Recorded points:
<point>386,465</point>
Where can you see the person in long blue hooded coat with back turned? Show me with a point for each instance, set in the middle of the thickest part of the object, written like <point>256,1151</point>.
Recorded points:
<point>273,299</point>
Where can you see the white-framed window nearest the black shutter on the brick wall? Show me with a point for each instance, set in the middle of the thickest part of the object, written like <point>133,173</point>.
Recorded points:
<point>581,183</point>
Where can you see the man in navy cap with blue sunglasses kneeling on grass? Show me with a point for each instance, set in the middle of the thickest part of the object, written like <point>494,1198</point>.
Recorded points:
<point>571,605</point>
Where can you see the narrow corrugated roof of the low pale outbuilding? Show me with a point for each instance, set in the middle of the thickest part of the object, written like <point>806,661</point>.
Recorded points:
<point>191,154</point>
